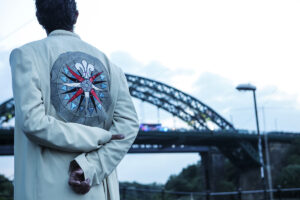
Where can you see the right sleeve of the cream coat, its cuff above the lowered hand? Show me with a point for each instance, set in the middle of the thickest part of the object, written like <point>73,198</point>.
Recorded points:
<point>98,164</point>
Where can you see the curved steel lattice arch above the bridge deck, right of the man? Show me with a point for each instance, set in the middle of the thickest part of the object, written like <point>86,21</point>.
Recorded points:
<point>189,109</point>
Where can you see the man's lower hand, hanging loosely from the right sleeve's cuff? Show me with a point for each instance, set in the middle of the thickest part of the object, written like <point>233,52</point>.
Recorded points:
<point>77,182</point>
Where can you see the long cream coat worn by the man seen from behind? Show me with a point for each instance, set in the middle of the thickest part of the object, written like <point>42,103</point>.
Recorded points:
<point>45,144</point>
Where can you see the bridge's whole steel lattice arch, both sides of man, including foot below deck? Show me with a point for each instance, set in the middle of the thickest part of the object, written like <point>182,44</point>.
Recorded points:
<point>189,109</point>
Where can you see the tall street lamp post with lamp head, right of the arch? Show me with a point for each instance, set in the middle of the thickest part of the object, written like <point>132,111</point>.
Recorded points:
<point>249,87</point>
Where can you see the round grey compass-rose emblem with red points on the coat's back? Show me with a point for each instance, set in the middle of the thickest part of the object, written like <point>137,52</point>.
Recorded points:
<point>80,88</point>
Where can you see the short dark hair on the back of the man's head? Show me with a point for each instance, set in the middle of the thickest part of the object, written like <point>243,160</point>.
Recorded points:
<point>56,14</point>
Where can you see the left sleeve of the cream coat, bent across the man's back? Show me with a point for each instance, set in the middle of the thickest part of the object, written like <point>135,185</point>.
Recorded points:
<point>31,117</point>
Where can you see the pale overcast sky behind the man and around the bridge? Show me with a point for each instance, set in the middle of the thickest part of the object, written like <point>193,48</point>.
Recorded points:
<point>204,48</point>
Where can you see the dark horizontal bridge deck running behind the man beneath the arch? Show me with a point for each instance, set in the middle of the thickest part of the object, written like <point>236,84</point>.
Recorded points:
<point>174,141</point>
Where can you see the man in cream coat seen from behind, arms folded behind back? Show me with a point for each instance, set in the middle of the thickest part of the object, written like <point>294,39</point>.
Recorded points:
<point>75,119</point>
